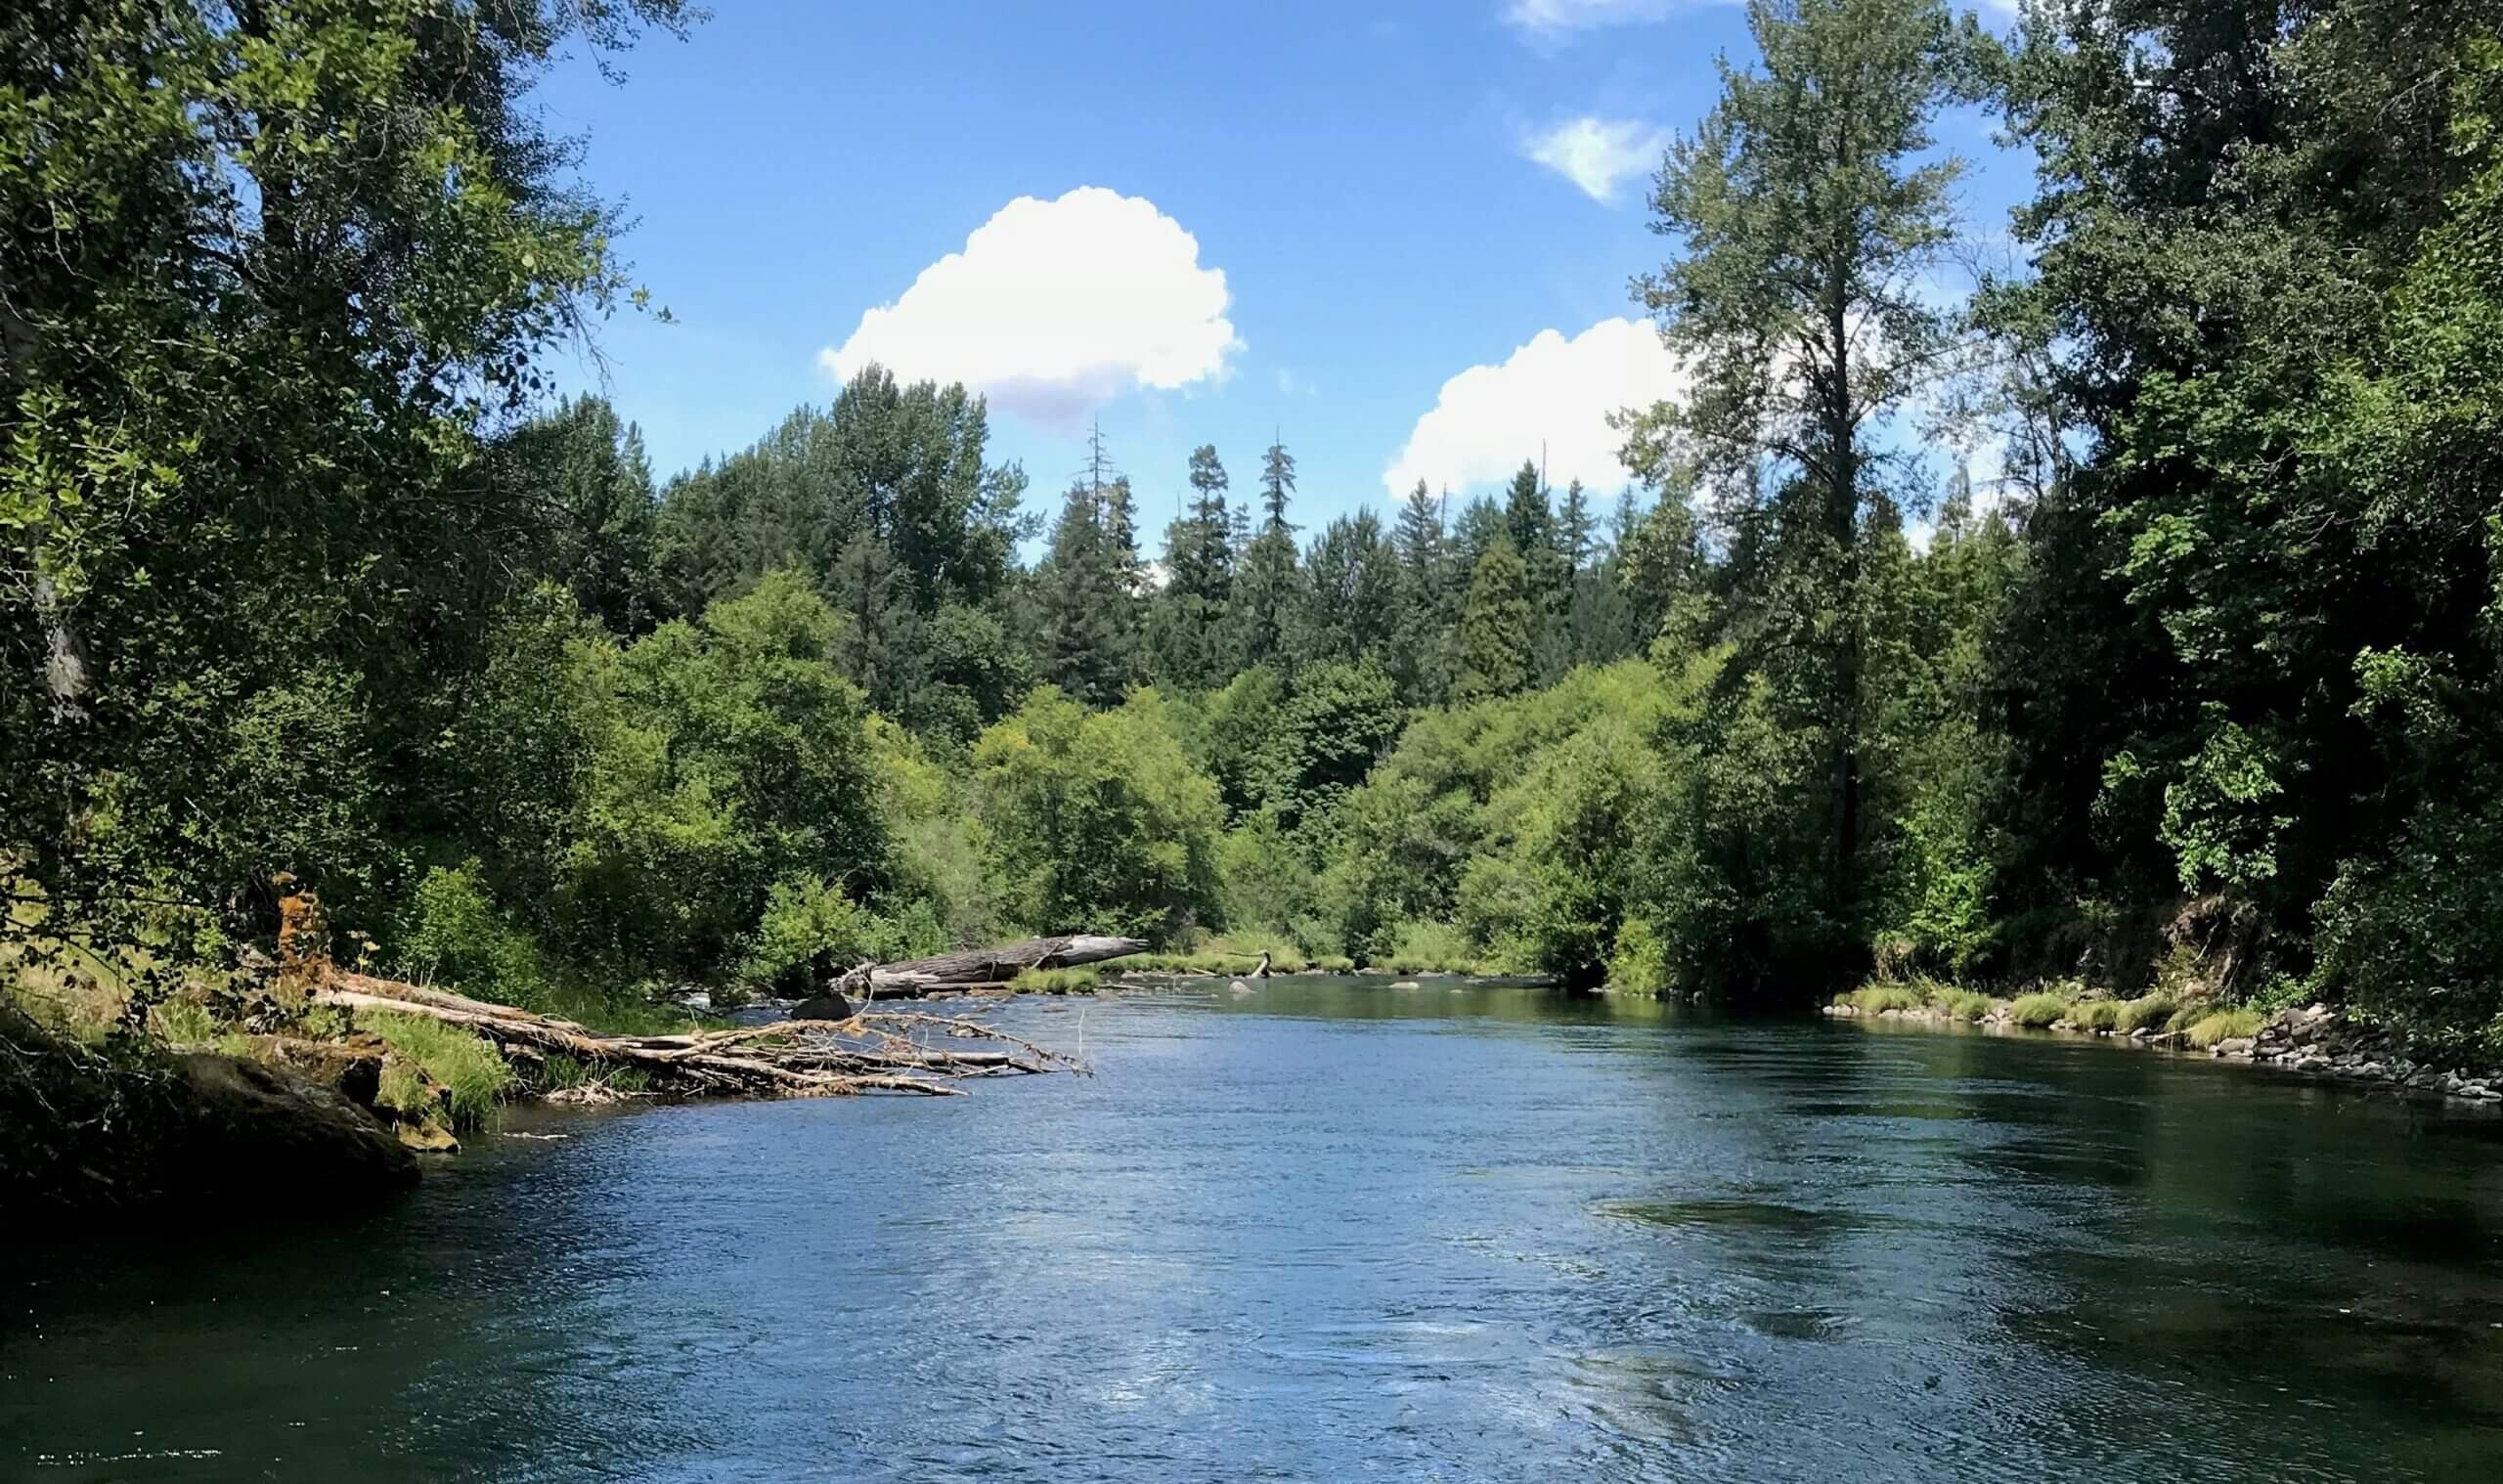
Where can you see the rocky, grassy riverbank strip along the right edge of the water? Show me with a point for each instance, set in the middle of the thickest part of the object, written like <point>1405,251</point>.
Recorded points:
<point>2314,1040</point>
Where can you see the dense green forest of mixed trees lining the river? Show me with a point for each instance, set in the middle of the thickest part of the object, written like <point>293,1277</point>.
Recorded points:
<point>2191,672</point>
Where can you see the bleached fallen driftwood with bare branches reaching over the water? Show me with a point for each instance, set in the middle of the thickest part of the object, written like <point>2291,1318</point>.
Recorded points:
<point>865,1052</point>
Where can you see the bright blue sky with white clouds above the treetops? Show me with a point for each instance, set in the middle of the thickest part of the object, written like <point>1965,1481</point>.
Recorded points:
<point>1393,196</point>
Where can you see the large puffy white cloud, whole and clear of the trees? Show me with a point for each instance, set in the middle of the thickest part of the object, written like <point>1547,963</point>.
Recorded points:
<point>1058,307</point>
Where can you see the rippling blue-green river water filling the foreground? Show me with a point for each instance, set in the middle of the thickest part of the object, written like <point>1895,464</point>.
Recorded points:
<point>1348,1232</point>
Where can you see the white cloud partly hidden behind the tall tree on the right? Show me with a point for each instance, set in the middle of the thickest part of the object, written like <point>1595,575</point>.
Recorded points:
<point>1551,392</point>
